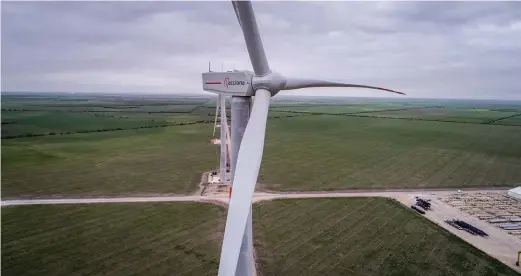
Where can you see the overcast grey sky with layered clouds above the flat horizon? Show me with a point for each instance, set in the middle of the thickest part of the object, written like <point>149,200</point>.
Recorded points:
<point>426,49</point>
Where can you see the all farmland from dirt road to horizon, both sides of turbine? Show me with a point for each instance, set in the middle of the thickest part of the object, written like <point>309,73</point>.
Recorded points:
<point>100,145</point>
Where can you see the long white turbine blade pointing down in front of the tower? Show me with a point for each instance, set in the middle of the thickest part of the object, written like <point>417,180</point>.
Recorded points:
<point>244,180</point>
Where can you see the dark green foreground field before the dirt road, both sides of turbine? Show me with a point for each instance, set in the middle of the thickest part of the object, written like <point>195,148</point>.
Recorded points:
<point>350,236</point>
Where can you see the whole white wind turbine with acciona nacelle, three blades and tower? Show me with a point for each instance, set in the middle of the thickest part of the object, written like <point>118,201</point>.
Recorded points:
<point>248,132</point>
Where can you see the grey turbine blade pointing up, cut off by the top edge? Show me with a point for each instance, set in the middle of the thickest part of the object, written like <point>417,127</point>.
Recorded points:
<point>246,16</point>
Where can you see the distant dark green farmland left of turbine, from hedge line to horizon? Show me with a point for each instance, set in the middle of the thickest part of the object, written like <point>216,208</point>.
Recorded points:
<point>58,116</point>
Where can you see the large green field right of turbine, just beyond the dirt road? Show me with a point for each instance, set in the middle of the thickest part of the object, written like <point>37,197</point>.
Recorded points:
<point>367,153</point>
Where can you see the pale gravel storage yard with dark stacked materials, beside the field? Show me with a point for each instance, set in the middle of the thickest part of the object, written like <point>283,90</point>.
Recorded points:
<point>473,216</point>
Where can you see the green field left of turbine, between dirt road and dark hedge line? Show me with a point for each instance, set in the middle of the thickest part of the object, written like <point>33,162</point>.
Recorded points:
<point>145,161</point>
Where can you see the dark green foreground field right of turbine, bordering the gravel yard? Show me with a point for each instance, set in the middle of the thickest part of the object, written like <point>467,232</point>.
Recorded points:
<point>359,236</point>
